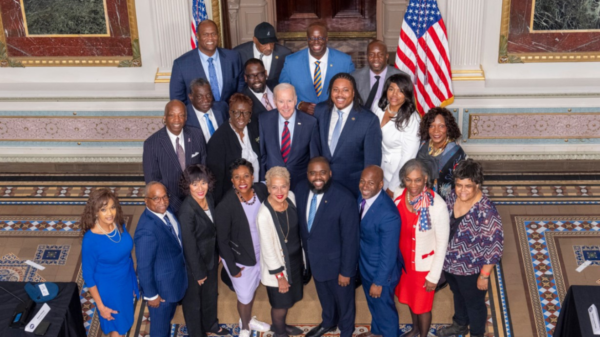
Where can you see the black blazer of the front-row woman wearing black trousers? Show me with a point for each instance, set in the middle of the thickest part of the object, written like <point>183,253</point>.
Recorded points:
<point>198,236</point>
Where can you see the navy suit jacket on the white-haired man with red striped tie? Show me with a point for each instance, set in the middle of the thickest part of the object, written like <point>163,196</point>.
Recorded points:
<point>305,144</point>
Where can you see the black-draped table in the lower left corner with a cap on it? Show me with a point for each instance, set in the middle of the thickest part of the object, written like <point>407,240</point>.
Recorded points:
<point>65,311</point>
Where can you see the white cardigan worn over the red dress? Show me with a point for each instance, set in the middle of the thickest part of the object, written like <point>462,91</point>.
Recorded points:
<point>431,245</point>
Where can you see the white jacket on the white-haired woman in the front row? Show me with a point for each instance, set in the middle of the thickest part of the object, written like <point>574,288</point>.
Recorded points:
<point>271,253</point>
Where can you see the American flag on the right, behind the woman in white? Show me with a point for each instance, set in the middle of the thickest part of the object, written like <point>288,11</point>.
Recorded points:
<point>423,53</point>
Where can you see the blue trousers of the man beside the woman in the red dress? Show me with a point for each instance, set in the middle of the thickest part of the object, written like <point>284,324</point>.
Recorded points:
<point>383,310</point>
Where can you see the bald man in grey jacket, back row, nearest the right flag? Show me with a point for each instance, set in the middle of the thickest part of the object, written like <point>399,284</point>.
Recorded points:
<point>370,80</point>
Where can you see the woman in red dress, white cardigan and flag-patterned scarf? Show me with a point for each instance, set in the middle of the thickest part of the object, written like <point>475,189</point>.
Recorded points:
<point>423,241</point>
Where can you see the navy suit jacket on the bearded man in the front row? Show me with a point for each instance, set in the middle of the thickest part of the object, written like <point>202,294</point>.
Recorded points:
<point>332,246</point>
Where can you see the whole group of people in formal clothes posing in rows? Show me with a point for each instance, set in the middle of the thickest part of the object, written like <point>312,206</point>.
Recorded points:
<point>289,166</point>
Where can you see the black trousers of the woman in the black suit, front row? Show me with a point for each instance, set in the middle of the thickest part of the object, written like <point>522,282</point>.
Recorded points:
<point>200,304</point>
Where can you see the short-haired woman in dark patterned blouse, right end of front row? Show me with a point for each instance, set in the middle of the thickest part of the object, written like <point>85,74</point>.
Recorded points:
<point>475,247</point>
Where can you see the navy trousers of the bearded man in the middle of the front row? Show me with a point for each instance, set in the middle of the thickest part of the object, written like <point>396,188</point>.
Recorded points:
<point>338,305</point>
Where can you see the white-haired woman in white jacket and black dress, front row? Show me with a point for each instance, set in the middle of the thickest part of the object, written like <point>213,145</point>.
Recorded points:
<point>280,249</point>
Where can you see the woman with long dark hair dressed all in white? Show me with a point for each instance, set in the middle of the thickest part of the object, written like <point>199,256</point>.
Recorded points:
<point>399,123</point>
